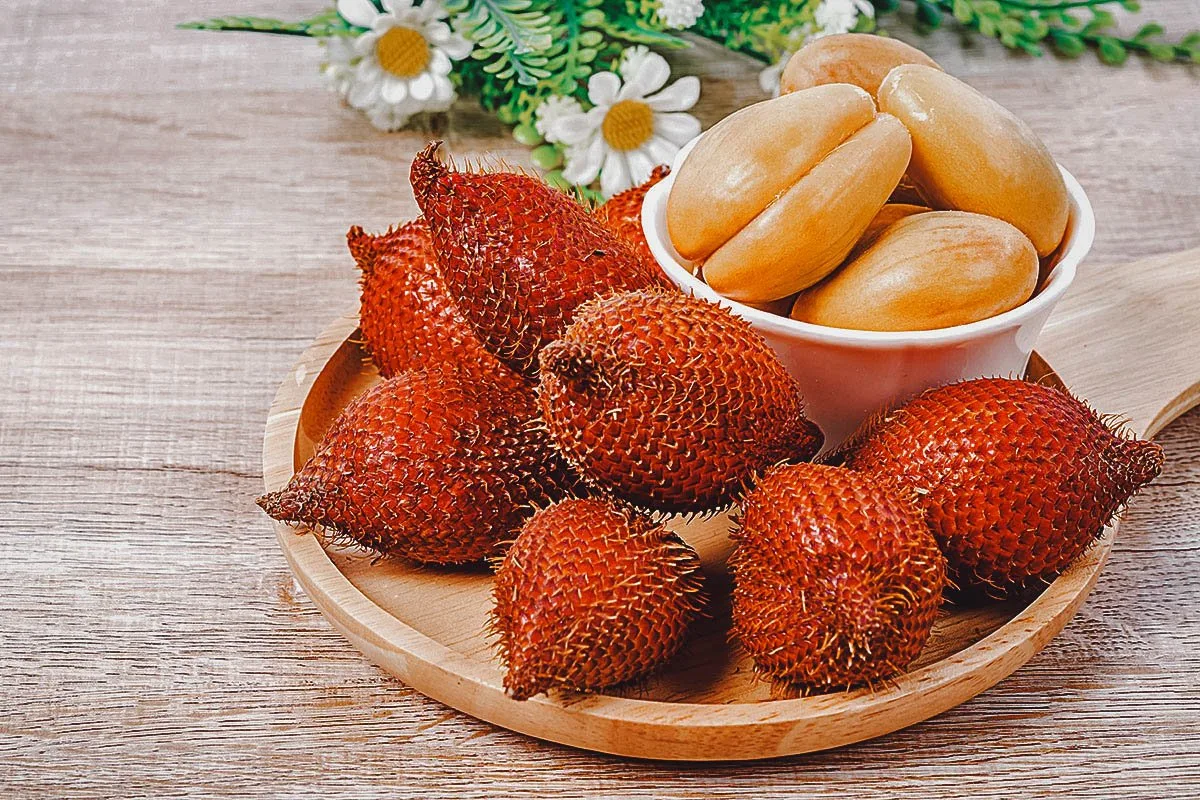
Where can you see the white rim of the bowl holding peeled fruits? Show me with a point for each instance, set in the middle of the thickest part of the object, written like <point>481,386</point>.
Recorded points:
<point>1076,246</point>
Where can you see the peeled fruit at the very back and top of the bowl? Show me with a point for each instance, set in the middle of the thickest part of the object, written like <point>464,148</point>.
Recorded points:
<point>859,59</point>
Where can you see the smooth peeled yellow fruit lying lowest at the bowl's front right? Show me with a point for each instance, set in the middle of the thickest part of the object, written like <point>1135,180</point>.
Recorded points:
<point>927,272</point>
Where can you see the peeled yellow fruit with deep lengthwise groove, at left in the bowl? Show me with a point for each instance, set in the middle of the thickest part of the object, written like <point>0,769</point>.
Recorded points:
<point>776,196</point>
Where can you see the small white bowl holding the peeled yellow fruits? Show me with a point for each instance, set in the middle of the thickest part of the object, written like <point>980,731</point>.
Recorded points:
<point>847,375</point>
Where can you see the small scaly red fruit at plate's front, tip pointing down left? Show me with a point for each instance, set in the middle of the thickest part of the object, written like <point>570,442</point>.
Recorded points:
<point>592,596</point>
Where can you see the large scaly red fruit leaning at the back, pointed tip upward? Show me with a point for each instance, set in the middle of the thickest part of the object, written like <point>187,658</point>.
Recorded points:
<point>518,256</point>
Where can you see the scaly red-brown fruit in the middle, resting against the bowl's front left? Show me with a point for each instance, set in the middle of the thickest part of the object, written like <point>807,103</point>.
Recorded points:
<point>670,402</point>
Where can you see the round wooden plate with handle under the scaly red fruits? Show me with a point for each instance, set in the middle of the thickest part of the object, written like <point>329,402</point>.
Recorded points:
<point>428,625</point>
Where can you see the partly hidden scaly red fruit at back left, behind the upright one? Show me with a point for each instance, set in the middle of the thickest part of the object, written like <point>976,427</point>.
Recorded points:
<point>407,318</point>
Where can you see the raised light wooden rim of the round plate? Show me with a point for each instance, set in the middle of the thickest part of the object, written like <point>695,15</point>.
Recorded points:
<point>911,699</point>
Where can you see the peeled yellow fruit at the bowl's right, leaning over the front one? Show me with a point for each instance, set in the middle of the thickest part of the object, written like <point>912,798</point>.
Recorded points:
<point>970,153</point>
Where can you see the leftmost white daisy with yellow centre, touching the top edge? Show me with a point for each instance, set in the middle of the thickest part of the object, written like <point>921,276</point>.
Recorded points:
<point>404,62</point>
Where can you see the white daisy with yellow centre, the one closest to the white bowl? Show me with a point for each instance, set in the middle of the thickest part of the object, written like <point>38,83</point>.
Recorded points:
<point>635,125</point>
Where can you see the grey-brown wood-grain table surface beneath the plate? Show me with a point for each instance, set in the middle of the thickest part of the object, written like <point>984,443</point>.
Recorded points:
<point>175,208</point>
